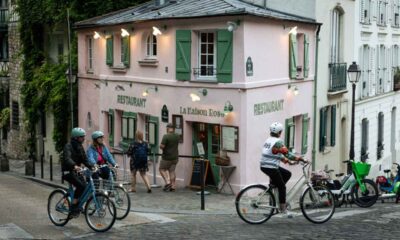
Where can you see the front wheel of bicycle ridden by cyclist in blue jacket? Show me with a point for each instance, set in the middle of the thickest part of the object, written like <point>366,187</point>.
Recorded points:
<point>122,201</point>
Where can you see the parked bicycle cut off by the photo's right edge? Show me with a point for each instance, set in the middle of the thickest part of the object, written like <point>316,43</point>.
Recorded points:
<point>389,186</point>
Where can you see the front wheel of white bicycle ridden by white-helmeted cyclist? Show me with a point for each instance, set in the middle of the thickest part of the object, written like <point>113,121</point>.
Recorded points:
<point>317,204</point>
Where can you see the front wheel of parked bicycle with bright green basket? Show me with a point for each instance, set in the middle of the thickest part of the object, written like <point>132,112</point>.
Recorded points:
<point>367,198</point>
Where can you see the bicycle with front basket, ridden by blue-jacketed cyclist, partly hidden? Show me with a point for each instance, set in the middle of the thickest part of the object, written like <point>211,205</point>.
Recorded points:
<point>117,193</point>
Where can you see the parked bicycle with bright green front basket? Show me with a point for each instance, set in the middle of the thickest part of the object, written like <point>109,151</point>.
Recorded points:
<point>354,187</point>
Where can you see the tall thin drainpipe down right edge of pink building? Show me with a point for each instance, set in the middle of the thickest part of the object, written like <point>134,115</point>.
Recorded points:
<point>315,99</point>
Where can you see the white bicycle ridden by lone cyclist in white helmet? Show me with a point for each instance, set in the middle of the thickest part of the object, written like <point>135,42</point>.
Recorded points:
<point>256,203</point>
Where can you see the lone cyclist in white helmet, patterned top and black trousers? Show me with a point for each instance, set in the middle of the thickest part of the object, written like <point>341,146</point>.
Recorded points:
<point>274,151</point>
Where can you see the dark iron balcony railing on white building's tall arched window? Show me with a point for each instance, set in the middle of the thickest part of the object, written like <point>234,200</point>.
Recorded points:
<point>337,77</point>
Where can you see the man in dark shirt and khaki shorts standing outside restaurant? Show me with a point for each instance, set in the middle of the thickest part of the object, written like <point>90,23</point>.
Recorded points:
<point>169,145</point>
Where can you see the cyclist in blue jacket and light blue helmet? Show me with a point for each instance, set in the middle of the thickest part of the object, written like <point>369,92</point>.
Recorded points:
<point>98,154</point>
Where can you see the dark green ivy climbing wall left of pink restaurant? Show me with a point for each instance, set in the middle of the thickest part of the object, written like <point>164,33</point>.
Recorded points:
<point>46,88</point>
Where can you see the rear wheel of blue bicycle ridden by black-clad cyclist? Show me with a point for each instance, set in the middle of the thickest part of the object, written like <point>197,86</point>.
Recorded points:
<point>58,207</point>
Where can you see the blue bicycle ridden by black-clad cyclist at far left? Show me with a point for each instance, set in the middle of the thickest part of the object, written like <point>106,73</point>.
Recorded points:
<point>99,210</point>
